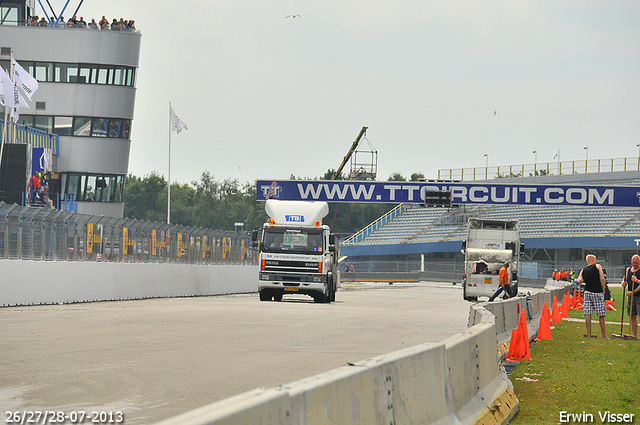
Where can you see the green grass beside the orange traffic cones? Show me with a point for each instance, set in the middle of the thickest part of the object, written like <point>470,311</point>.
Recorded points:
<point>576,374</point>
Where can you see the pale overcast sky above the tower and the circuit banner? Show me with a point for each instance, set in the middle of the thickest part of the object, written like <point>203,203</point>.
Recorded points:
<point>439,84</point>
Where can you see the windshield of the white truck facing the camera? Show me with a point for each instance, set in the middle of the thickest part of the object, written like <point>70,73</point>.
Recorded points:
<point>293,240</point>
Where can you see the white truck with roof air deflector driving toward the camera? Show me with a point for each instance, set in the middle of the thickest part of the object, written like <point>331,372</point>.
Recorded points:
<point>297,253</point>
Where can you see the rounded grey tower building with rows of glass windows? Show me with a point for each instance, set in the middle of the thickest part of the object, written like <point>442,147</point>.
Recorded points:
<point>86,96</point>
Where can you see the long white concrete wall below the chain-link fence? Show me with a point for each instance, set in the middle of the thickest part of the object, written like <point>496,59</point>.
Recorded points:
<point>40,282</point>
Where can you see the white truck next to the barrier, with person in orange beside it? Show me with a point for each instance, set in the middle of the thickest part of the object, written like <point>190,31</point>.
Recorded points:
<point>489,244</point>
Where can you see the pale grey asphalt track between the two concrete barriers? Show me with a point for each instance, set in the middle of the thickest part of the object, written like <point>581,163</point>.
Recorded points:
<point>153,359</point>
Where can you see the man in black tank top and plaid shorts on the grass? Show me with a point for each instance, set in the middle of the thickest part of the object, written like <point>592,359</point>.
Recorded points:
<point>593,278</point>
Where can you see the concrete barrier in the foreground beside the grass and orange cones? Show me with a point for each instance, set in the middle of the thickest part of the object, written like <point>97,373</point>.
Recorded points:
<point>458,381</point>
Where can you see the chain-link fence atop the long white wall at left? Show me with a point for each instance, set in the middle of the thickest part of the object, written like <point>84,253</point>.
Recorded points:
<point>31,233</point>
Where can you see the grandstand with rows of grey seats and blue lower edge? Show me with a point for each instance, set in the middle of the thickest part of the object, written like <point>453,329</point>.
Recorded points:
<point>554,236</point>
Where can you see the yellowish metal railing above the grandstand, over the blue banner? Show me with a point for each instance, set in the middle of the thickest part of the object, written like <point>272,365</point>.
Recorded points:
<point>541,169</point>
